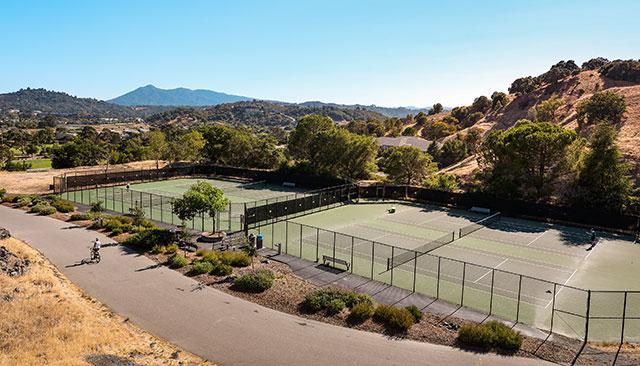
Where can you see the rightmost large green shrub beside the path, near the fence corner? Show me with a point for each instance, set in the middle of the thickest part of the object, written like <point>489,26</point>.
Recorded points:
<point>490,335</point>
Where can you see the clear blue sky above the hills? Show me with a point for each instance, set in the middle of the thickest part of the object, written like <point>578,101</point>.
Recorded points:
<point>388,53</point>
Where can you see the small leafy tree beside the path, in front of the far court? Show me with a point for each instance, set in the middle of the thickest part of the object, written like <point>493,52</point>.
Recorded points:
<point>202,198</point>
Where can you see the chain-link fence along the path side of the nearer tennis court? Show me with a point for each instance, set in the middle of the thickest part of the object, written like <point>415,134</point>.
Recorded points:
<point>603,316</point>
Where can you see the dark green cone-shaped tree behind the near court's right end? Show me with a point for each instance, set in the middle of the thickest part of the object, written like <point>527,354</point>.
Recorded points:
<point>602,181</point>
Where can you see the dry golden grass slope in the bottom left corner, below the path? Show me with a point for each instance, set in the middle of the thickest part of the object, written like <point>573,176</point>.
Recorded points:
<point>51,322</point>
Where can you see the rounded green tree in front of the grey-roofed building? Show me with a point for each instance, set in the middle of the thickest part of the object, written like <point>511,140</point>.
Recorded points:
<point>407,165</point>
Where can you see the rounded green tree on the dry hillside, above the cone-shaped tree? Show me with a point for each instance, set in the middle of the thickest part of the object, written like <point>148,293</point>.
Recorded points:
<point>601,107</point>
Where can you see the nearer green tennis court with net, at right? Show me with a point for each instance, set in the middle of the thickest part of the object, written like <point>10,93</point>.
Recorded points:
<point>519,270</point>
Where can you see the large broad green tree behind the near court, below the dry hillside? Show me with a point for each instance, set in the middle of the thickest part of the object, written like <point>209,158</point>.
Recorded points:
<point>526,160</point>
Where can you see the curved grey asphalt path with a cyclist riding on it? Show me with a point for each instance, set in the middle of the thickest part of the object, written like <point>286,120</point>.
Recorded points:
<point>211,323</point>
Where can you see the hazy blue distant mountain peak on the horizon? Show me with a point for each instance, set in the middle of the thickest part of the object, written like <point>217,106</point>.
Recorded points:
<point>152,95</point>
